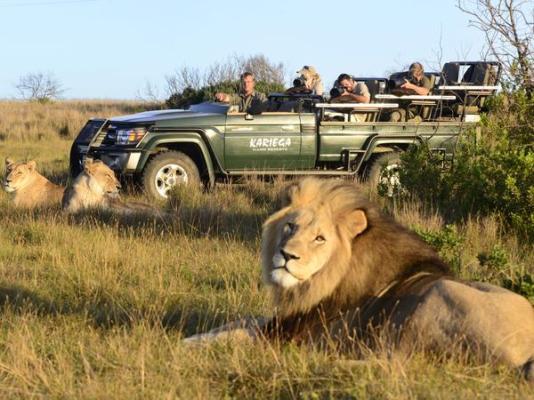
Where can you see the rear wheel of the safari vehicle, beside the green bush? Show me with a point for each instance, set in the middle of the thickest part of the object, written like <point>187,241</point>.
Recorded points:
<point>384,176</point>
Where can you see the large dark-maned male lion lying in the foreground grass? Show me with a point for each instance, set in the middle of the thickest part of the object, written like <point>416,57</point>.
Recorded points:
<point>341,272</point>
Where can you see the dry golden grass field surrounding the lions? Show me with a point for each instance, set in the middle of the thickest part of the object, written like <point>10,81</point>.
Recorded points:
<point>95,306</point>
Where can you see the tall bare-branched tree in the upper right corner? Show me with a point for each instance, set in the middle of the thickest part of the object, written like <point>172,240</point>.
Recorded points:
<point>508,26</point>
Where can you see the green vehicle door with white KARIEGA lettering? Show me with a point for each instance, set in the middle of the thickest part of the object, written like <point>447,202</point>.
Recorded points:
<point>270,141</point>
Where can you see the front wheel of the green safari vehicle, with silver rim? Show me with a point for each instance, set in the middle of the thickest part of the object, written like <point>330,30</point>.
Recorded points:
<point>166,171</point>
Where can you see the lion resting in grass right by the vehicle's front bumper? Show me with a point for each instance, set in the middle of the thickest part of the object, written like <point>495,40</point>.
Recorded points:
<point>98,187</point>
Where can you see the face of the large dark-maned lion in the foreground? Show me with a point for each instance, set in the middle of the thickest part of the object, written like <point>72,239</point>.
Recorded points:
<point>301,240</point>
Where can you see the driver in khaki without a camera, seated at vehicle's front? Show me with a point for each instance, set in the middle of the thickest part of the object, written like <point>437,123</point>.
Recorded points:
<point>247,99</point>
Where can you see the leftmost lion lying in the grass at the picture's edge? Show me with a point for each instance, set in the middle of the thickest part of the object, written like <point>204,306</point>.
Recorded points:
<point>28,187</point>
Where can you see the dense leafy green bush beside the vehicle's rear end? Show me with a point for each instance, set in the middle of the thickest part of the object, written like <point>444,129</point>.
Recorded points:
<point>491,172</point>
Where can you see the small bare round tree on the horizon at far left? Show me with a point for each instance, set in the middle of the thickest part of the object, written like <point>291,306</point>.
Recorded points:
<point>39,86</point>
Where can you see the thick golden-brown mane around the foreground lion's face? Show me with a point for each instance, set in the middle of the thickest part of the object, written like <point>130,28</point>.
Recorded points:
<point>384,253</point>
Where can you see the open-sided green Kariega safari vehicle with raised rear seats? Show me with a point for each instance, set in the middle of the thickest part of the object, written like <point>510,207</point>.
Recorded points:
<point>299,135</point>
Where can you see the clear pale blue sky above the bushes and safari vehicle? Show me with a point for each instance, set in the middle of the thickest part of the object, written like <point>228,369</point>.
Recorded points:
<point>112,48</point>
